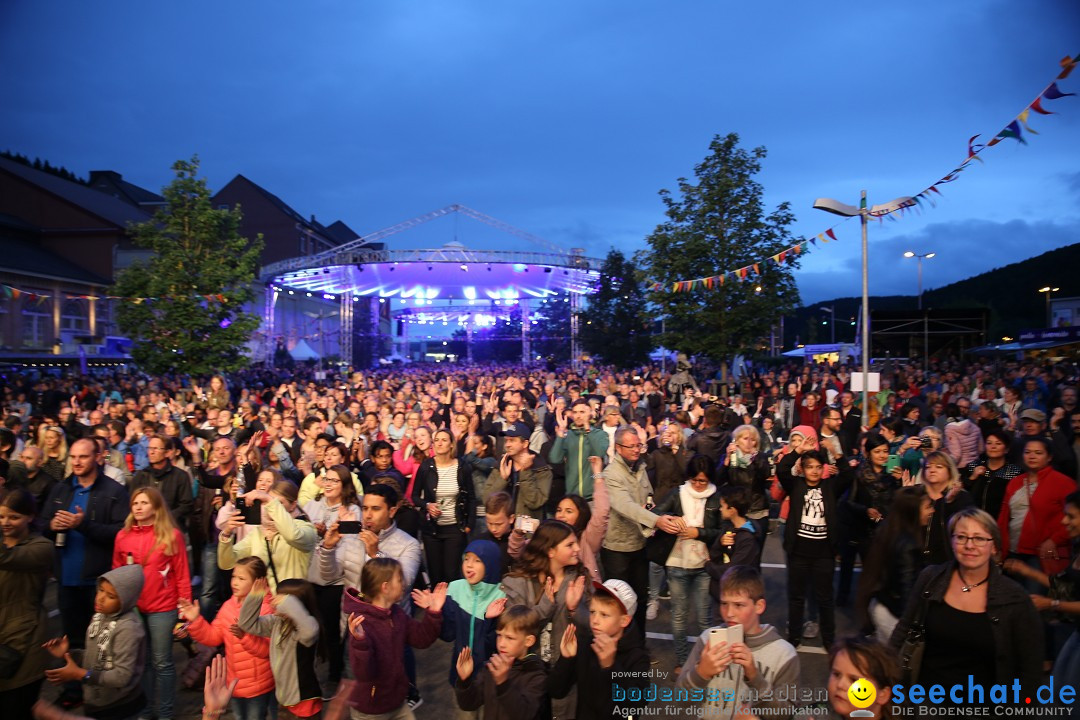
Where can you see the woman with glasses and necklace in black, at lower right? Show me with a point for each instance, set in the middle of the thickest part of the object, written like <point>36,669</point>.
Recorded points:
<point>975,620</point>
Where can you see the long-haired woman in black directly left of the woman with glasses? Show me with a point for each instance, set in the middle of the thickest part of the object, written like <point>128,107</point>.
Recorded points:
<point>897,559</point>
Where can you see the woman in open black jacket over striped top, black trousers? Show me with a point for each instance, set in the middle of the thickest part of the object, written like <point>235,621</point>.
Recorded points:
<point>443,490</point>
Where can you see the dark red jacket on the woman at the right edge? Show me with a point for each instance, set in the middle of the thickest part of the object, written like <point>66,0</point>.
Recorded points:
<point>1044,518</point>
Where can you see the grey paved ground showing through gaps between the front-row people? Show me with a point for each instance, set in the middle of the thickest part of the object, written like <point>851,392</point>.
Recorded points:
<point>435,662</point>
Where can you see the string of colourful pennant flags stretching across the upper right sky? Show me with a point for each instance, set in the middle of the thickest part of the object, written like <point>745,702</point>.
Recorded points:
<point>1015,130</point>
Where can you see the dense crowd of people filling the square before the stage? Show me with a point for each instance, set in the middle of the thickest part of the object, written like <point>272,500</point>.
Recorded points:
<point>322,532</point>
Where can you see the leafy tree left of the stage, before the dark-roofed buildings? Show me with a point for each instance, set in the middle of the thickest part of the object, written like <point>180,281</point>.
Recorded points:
<point>200,277</point>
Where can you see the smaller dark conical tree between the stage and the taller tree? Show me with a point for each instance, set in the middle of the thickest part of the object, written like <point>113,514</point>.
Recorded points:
<point>615,327</point>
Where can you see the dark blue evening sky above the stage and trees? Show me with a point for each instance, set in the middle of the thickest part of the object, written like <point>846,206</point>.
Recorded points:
<point>566,118</point>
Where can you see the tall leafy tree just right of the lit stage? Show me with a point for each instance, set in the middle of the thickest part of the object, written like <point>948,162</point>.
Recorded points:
<point>718,224</point>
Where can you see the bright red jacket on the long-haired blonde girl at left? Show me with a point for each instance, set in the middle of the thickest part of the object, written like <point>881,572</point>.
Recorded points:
<point>166,578</point>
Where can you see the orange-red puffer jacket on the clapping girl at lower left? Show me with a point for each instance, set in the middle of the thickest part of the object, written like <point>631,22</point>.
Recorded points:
<point>249,657</point>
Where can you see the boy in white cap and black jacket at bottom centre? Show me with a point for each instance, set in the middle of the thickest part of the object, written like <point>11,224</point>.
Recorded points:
<point>601,656</point>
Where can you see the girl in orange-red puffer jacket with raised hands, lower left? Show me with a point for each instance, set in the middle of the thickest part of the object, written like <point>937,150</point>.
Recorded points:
<point>249,656</point>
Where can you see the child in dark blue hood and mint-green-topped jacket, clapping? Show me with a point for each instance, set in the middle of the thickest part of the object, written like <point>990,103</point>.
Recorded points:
<point>475,603</point>
